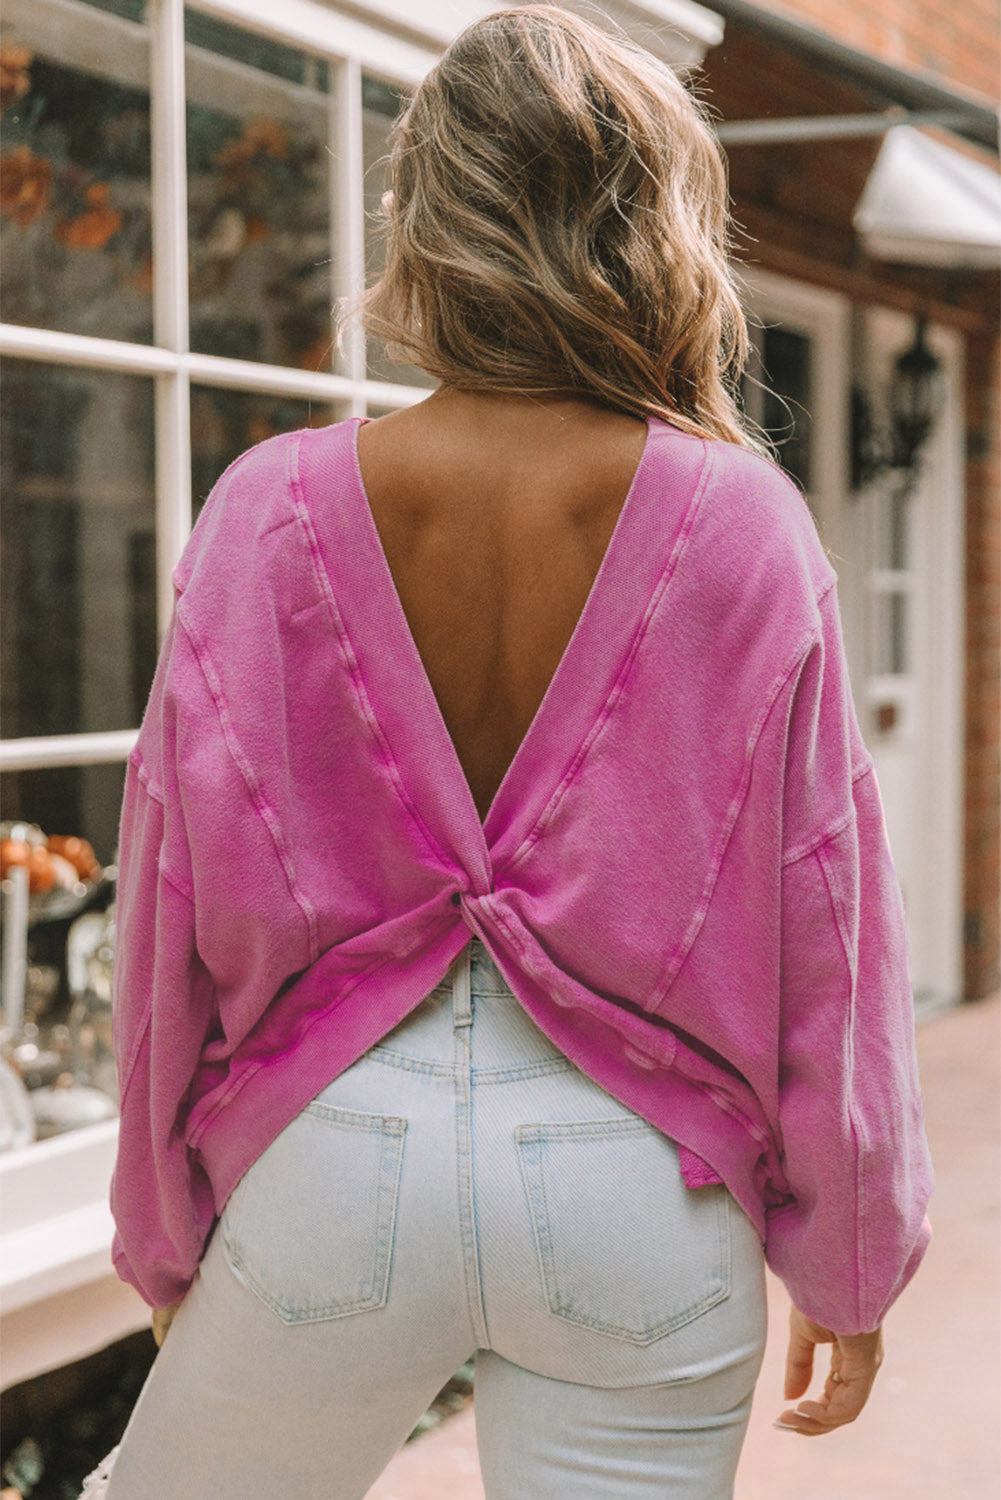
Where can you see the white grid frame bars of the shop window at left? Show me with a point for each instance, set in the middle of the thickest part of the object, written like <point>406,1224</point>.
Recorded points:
<point>350,47</point>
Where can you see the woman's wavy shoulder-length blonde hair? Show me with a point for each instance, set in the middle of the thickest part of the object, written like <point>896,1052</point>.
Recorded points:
<point>558,223</point>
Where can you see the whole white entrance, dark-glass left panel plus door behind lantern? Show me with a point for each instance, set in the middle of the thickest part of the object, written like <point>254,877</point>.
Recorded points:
<point>900,583</point>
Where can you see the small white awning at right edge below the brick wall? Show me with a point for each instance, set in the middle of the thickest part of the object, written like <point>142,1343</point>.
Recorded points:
<point>928,205</point>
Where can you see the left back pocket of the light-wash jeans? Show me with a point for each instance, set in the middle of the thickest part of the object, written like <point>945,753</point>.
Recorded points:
<point>310,1226</point>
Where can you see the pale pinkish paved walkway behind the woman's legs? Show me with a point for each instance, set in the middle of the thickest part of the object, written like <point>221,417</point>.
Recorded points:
<point>931,1429</point>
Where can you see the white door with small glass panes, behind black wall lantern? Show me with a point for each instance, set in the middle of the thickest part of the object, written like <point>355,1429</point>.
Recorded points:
<point>912,572</point>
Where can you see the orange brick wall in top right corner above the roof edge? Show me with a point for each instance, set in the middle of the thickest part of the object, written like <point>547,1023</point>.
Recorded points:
<point>954,41</point>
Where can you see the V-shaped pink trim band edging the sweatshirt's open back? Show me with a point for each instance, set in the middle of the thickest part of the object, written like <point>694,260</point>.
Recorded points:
<point>395,679</point>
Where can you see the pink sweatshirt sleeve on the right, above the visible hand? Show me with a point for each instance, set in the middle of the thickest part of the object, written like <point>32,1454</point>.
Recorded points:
<point>850,1108</point>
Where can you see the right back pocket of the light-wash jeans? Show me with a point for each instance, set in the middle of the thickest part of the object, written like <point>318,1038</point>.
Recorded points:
<point>624,1246</point>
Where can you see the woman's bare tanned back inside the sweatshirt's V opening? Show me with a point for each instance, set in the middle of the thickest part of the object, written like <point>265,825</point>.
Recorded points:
<point>488,661</point>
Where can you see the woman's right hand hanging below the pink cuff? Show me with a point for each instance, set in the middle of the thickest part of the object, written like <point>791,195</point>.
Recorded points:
<point>855,1363</point>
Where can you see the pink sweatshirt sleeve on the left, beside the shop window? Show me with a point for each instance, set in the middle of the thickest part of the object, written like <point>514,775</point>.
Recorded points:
<point>163,1009</point>
